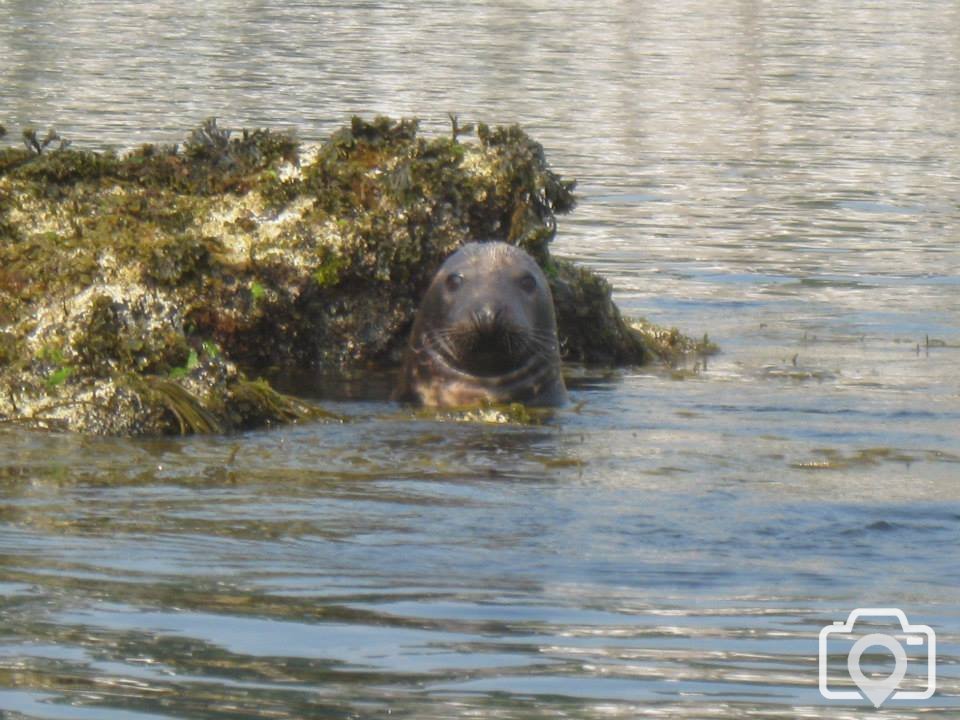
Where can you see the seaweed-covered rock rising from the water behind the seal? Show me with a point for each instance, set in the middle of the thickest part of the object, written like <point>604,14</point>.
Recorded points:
<point>139,293</point>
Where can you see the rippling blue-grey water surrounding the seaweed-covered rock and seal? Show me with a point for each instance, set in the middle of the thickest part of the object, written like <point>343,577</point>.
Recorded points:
<point>783,176</point>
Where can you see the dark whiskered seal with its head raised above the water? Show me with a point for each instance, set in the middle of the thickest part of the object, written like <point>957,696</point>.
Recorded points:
<point>485,332</point>
